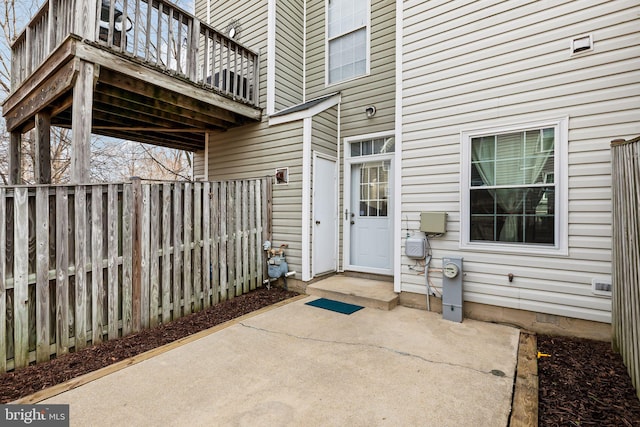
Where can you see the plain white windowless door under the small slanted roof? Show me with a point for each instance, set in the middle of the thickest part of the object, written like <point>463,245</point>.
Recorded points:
<point>324,215</point>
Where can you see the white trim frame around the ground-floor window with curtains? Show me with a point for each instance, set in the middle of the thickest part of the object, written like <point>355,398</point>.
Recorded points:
<point>561,226</point>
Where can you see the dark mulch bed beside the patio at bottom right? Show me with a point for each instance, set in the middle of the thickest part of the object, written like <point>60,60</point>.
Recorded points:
<point>583,383</point>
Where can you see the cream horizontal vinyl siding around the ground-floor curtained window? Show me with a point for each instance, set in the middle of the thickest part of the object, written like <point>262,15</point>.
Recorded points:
<point>513,65</point>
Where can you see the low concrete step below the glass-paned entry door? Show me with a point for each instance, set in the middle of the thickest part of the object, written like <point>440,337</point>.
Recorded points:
<point>353,290</point>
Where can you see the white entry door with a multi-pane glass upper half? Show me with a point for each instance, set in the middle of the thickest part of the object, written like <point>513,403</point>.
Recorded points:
<point>370,225</point>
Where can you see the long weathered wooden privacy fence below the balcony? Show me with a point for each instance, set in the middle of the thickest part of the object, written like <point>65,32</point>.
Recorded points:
<point>86,263</point>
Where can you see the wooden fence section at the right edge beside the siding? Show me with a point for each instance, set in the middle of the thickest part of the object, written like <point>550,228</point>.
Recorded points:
<point>626,254</point>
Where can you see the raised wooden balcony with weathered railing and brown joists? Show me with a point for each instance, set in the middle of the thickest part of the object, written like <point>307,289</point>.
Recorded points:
<point>141,70</point>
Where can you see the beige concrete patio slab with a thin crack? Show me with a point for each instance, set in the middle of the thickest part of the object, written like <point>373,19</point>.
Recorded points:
<point>304,366</point>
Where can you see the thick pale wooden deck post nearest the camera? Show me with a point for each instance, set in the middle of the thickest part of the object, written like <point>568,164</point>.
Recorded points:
<point>81,123</point>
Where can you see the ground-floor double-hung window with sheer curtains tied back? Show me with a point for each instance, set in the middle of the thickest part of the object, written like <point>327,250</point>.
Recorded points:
<point>513,182</point>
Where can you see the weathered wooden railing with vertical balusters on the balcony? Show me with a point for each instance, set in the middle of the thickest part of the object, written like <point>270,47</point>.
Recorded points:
<point>155,32</point>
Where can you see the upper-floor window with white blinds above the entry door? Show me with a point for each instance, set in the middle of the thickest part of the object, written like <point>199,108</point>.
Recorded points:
<point>347,39</point>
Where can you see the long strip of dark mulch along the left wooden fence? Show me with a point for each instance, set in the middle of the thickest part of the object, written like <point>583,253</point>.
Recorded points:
<point>17,384</point>
